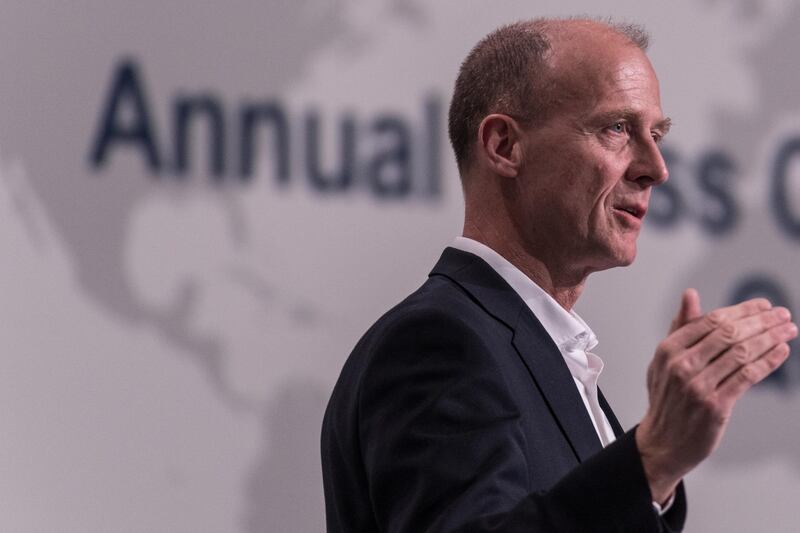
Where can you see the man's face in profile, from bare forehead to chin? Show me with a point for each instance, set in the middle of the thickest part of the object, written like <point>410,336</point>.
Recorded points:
<point>589,167</point>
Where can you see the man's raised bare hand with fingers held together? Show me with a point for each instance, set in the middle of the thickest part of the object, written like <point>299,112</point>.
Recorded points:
<point>706,363</point>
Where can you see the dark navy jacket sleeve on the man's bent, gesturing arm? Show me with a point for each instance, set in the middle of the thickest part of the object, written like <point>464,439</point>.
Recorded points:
<point>444,451</point>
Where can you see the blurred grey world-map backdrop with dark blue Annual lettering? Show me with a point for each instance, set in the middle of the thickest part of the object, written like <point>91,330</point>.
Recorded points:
<point>203,205</point>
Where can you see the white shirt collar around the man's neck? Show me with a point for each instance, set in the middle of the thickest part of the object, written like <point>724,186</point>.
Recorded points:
<point>566,328</point>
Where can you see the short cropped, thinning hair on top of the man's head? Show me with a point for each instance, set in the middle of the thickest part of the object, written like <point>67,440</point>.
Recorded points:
<point>517,70</point>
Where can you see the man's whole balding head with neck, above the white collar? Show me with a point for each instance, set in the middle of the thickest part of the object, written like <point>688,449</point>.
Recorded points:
<point>558,146</point>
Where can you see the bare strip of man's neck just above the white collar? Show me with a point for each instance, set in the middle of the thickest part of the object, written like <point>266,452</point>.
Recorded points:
<point>561,281</point>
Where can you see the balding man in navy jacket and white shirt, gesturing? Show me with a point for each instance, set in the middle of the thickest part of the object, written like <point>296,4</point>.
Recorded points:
<point>473,405</point>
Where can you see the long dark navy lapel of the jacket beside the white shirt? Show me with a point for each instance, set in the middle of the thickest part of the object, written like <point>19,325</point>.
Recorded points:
<point>537,350</point>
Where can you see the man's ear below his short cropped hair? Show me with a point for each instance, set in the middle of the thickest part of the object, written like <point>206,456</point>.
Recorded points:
<point>500,141</point>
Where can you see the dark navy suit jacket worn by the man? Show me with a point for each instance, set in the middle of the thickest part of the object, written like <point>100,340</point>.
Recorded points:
<point>457,412</point>
